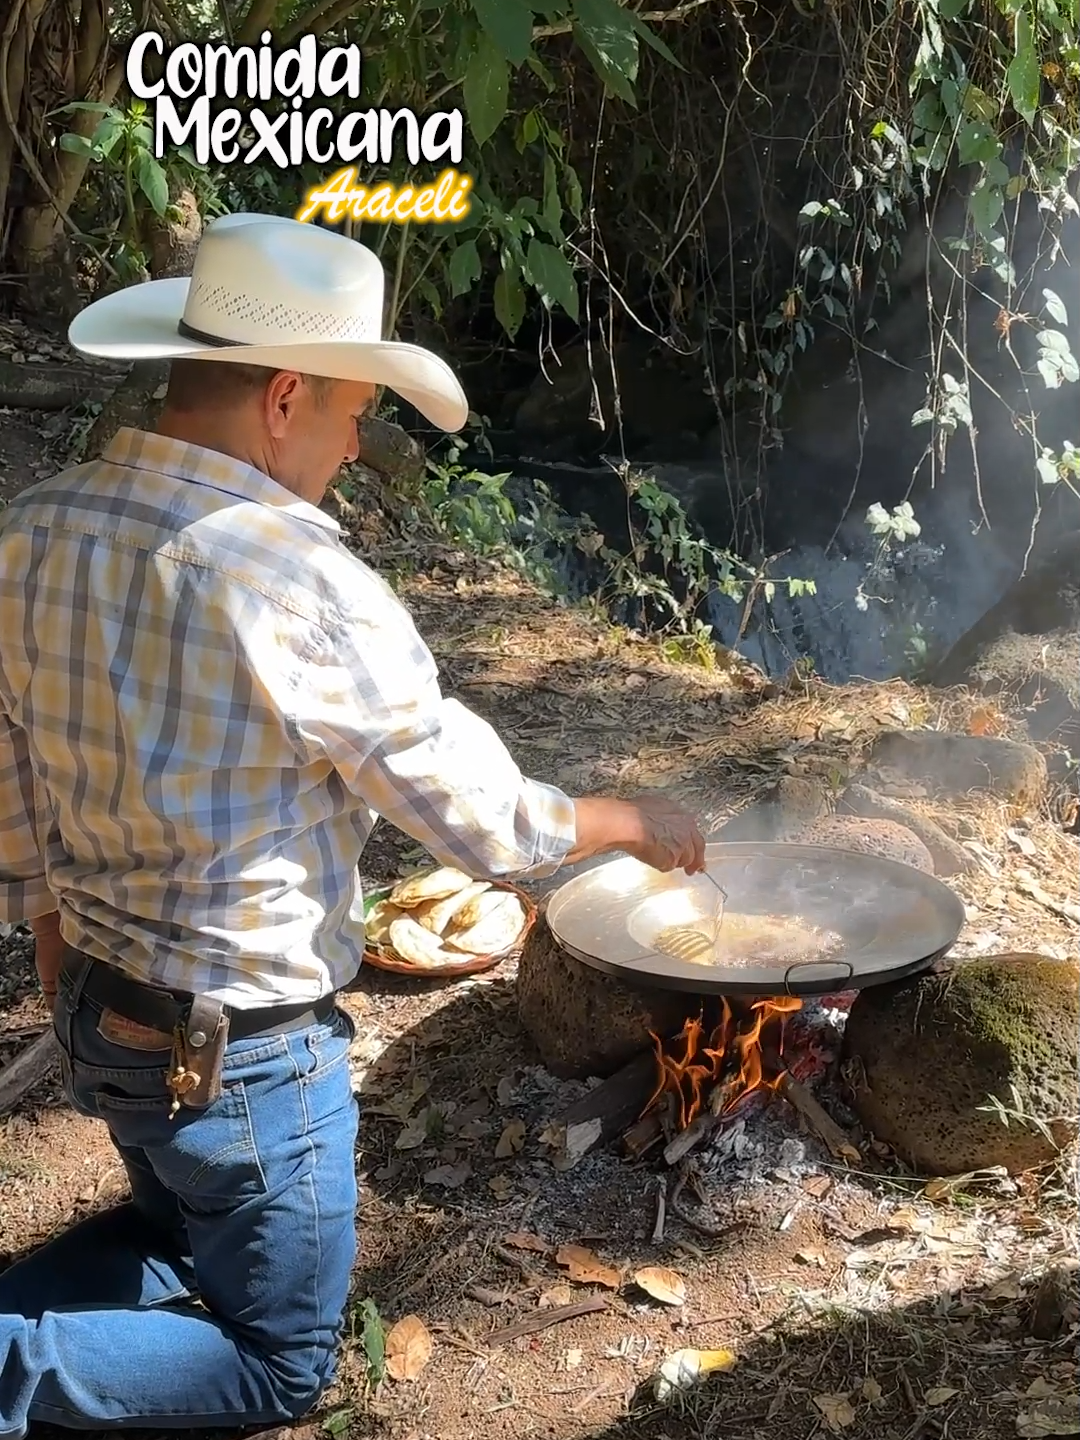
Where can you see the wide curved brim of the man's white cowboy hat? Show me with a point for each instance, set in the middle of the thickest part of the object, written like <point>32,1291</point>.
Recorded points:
<point>140,323</point>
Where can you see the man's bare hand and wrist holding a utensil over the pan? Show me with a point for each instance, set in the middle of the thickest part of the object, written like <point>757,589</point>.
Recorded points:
<point>656,832</point>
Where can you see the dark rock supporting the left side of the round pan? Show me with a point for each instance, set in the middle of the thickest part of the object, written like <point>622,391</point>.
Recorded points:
<point>582,1022</point>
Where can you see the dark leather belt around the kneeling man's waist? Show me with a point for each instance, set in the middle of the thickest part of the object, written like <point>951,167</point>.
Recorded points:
<point>165,1009</point>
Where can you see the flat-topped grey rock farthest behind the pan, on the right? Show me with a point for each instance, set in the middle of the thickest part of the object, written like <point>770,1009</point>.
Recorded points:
<point>958,764</point>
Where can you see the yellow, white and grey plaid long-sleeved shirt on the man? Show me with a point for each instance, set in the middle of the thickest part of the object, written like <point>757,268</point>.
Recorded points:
<point>205,705</point>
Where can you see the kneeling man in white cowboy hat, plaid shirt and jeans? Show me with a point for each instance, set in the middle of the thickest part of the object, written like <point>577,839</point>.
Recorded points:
<point>205,703</point>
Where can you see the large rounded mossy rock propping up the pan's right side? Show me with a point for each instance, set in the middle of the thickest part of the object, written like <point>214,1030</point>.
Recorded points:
<point>927,1058</point>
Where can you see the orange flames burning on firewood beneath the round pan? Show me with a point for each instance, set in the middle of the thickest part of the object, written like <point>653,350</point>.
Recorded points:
<point>731,1061</point>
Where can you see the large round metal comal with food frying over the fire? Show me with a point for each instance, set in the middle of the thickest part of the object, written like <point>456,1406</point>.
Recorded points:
<point>791,919</point>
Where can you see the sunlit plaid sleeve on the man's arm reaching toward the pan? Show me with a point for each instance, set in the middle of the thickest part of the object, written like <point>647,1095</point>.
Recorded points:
<point>372,705</point>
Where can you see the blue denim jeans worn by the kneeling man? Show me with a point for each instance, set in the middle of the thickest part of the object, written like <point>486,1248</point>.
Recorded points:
<point>217,1295</point>
